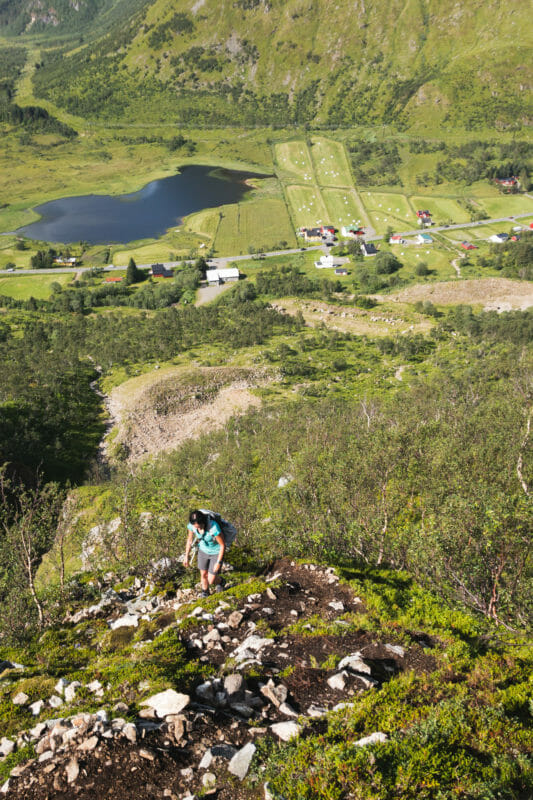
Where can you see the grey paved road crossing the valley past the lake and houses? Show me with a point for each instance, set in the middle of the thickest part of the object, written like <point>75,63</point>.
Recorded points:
<point>222,261</point>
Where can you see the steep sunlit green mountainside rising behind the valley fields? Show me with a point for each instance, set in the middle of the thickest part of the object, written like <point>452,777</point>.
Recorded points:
<point>251,62</point>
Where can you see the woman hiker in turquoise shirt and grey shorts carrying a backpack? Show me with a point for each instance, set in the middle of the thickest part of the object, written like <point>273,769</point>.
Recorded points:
<point>206,533</point>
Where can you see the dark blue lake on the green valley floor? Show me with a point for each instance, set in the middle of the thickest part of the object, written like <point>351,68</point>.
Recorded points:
<point>146,214</point>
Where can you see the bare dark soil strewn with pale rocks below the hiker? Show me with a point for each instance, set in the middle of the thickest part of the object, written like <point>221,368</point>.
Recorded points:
<point>279,661</point>
